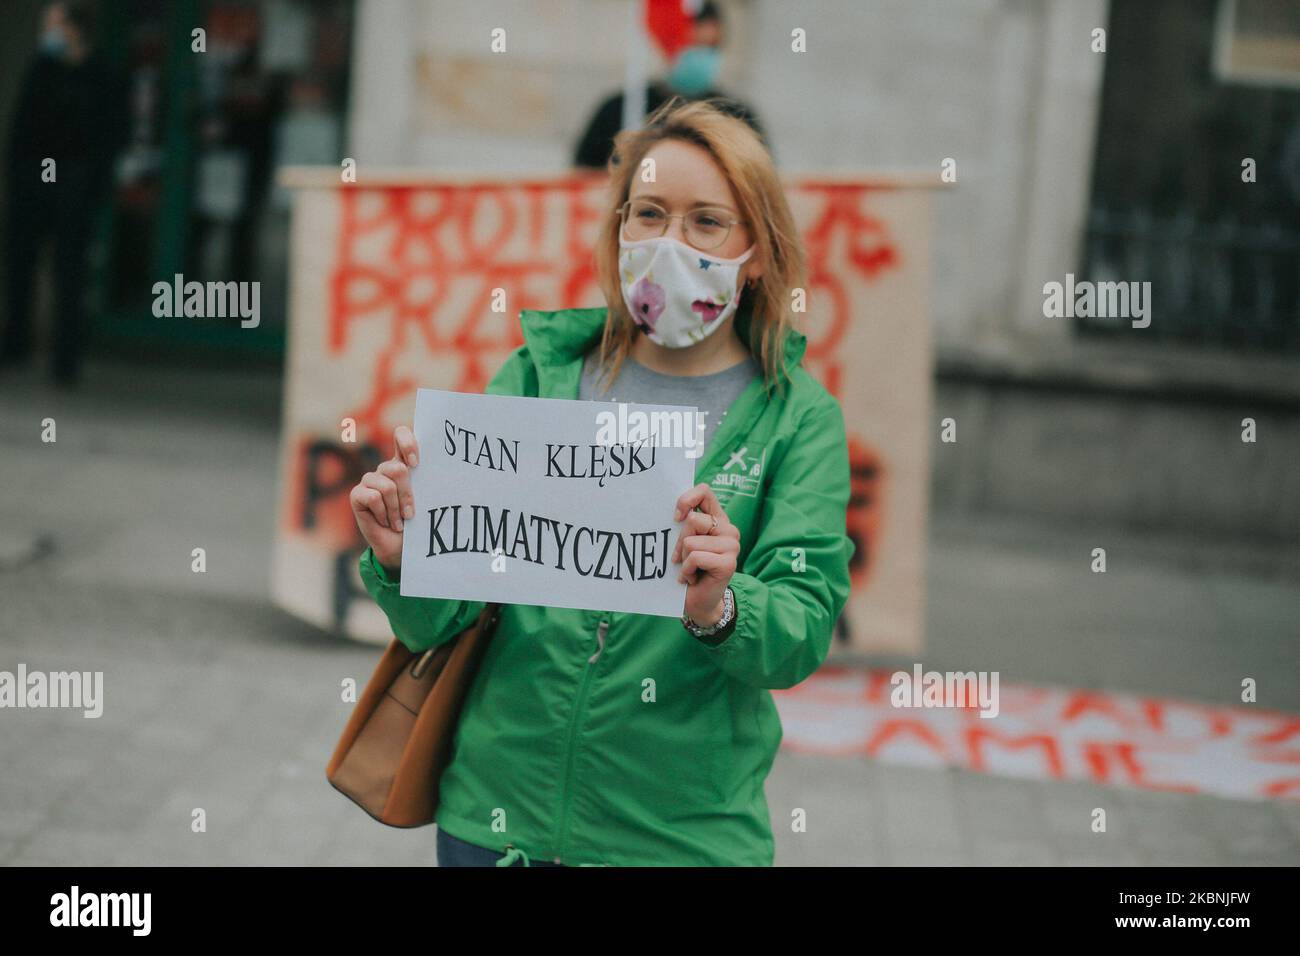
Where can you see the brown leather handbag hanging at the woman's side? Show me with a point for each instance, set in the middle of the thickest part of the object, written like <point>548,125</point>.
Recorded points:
<point>398,739</point>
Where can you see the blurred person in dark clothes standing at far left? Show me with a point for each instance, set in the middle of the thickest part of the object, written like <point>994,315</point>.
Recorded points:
<point>71,110</point>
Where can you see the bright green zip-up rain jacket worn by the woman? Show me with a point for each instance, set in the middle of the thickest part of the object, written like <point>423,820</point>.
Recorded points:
<point>610,738</point>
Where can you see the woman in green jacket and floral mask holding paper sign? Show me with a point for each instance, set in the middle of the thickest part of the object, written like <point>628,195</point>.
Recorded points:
<point>631,739</point>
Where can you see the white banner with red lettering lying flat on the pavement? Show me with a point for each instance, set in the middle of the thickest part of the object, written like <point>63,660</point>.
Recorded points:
<point>1050,733</point>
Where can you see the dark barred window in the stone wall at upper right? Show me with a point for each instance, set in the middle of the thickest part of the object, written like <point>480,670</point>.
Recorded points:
<point>1197,180</point>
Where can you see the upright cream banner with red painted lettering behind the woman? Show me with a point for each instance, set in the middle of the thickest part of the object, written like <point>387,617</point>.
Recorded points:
<point>401,283</point>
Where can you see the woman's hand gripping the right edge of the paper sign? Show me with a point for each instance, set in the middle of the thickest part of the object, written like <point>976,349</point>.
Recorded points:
<point>708,550</point>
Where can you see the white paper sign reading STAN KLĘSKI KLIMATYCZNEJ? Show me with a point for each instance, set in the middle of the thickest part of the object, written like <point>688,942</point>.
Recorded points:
<point>548,501</point>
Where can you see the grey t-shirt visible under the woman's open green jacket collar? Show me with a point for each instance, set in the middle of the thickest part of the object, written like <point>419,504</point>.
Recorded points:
<point>712,393</point>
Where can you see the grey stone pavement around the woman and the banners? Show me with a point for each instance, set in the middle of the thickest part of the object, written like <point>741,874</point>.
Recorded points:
<point>218,700</point>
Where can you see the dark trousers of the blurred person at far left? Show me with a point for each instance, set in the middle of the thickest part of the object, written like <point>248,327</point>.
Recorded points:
<point>64,213</point>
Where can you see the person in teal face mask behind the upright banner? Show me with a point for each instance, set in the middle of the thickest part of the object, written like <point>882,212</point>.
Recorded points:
<point>692,77</point>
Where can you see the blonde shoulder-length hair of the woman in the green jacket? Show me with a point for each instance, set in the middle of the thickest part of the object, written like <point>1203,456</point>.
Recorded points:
<point>749,170</point>
